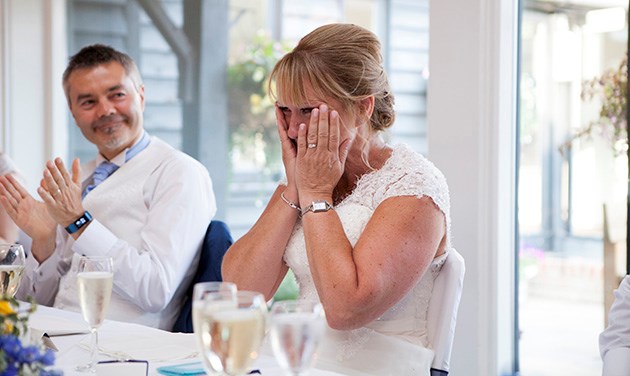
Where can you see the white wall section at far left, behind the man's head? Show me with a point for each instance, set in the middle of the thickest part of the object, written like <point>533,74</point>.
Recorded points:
<point>33,56</point>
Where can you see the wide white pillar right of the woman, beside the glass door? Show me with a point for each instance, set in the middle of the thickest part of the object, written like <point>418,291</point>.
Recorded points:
<point>471,106</point>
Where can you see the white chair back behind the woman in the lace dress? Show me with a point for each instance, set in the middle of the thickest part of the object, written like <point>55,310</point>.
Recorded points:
<point>442,314</point>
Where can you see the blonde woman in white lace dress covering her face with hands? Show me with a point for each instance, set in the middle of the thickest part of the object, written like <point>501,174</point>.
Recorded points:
<point>363,225</point>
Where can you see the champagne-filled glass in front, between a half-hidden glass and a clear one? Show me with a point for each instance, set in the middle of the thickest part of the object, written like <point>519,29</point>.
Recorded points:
<point>233,333</point>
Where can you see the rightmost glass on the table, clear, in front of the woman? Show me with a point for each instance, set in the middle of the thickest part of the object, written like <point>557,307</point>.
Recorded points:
<point>297,327</point>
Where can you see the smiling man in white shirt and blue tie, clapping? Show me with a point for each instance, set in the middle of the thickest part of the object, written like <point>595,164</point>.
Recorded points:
<point>140,201</point>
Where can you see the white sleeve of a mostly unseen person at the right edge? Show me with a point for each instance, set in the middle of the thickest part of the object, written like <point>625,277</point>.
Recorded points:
<point>614,342</point>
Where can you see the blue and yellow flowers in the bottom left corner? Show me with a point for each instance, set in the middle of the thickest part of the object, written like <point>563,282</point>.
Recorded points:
<point>16,356</point>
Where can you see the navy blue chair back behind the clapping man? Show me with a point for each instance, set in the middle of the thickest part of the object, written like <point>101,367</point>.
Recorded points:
<point>216,242</point>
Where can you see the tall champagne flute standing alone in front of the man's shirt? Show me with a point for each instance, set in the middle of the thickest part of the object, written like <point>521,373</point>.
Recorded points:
<point>95,280</point>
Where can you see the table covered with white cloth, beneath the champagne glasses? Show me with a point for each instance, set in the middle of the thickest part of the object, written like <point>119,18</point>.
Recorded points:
<point>127,348</point>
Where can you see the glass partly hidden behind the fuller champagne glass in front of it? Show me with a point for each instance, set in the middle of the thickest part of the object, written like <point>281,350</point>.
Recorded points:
<point>208,296</point>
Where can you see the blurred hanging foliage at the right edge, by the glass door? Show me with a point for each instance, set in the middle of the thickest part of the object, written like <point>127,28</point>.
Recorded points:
<point>611,89</point>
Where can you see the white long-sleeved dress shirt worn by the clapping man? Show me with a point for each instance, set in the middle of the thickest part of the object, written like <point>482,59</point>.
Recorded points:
<point>150,216</point>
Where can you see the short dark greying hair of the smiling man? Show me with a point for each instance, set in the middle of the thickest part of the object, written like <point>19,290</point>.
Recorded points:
<point>99,54</point>
